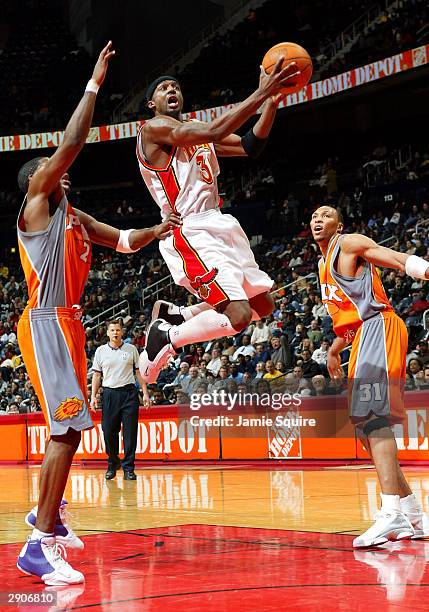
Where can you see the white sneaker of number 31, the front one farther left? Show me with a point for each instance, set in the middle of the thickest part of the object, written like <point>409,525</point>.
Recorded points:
<point>389,525</point>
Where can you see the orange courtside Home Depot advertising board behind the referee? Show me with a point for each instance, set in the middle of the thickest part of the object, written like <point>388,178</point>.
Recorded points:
<point>318,428</point>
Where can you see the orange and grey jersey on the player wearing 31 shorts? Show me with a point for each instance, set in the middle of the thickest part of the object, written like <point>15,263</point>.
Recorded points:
<point>350,301</point>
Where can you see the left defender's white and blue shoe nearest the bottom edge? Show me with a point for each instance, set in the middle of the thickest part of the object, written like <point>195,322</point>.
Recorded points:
<point>44,558</point>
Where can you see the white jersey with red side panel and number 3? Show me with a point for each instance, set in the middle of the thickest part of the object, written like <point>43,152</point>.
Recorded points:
<point>187,183</point>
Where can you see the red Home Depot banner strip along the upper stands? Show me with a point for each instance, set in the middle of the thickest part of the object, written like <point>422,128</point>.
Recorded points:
<point>389,66</point>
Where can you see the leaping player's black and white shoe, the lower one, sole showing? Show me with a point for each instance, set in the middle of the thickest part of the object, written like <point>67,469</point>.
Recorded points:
<point>157,352</point>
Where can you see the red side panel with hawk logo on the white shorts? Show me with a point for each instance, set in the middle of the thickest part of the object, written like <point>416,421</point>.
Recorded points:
<point>201,278</point>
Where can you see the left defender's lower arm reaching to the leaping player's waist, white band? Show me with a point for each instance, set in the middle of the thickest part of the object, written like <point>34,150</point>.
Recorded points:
<point>126,241</point>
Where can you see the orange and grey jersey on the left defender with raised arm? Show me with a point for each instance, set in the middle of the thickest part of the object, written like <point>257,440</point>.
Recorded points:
<point>56,261</point>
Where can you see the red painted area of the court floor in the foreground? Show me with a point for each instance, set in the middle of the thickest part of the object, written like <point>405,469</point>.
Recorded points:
<point>195,567</point>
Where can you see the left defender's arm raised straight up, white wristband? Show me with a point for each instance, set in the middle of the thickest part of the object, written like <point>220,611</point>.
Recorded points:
<point>47,178</point>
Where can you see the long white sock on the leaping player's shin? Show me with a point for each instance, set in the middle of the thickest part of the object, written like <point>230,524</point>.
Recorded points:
<point>207,325</point>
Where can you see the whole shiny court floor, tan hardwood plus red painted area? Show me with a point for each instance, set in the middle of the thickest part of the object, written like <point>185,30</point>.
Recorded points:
<point>222,538</point>
